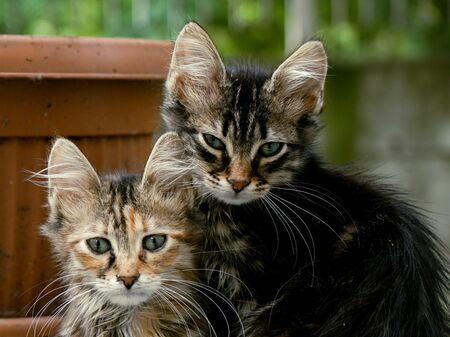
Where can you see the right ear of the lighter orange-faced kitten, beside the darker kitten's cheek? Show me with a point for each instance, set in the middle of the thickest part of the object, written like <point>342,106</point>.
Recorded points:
<point>168,170</point>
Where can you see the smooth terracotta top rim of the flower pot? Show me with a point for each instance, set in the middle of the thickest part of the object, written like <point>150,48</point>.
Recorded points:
<point>44,57</point>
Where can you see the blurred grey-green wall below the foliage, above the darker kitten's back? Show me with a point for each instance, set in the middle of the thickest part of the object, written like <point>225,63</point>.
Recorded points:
<point>394,120</point>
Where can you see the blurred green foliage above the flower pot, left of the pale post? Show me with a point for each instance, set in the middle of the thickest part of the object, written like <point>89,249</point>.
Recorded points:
<point>239,28</point>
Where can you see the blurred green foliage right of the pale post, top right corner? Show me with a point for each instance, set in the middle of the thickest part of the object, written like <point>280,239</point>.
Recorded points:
<point>421,30</point>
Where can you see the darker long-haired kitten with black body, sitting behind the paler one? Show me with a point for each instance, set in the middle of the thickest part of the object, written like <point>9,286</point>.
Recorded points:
<point>302,249</point>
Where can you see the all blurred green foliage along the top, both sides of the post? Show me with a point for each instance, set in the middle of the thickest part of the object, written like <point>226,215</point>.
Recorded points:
<point>248,27</point>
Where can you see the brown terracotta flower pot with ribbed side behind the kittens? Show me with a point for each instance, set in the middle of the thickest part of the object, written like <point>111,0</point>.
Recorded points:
<point>103,94</point>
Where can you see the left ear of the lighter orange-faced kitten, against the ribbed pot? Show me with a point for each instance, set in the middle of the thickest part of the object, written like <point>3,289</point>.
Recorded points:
<point>72,181</point>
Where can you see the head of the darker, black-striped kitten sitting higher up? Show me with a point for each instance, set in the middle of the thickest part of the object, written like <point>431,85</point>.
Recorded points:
<point>248,130</point>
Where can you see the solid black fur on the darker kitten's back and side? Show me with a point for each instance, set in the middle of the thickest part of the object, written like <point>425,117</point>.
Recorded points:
<point>390,279</point>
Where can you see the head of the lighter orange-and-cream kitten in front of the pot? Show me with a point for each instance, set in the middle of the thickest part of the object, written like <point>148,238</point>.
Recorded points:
<point>121,239</point>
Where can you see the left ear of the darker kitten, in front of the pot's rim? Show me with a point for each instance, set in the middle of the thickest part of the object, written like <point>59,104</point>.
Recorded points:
<point>196,70</point>
